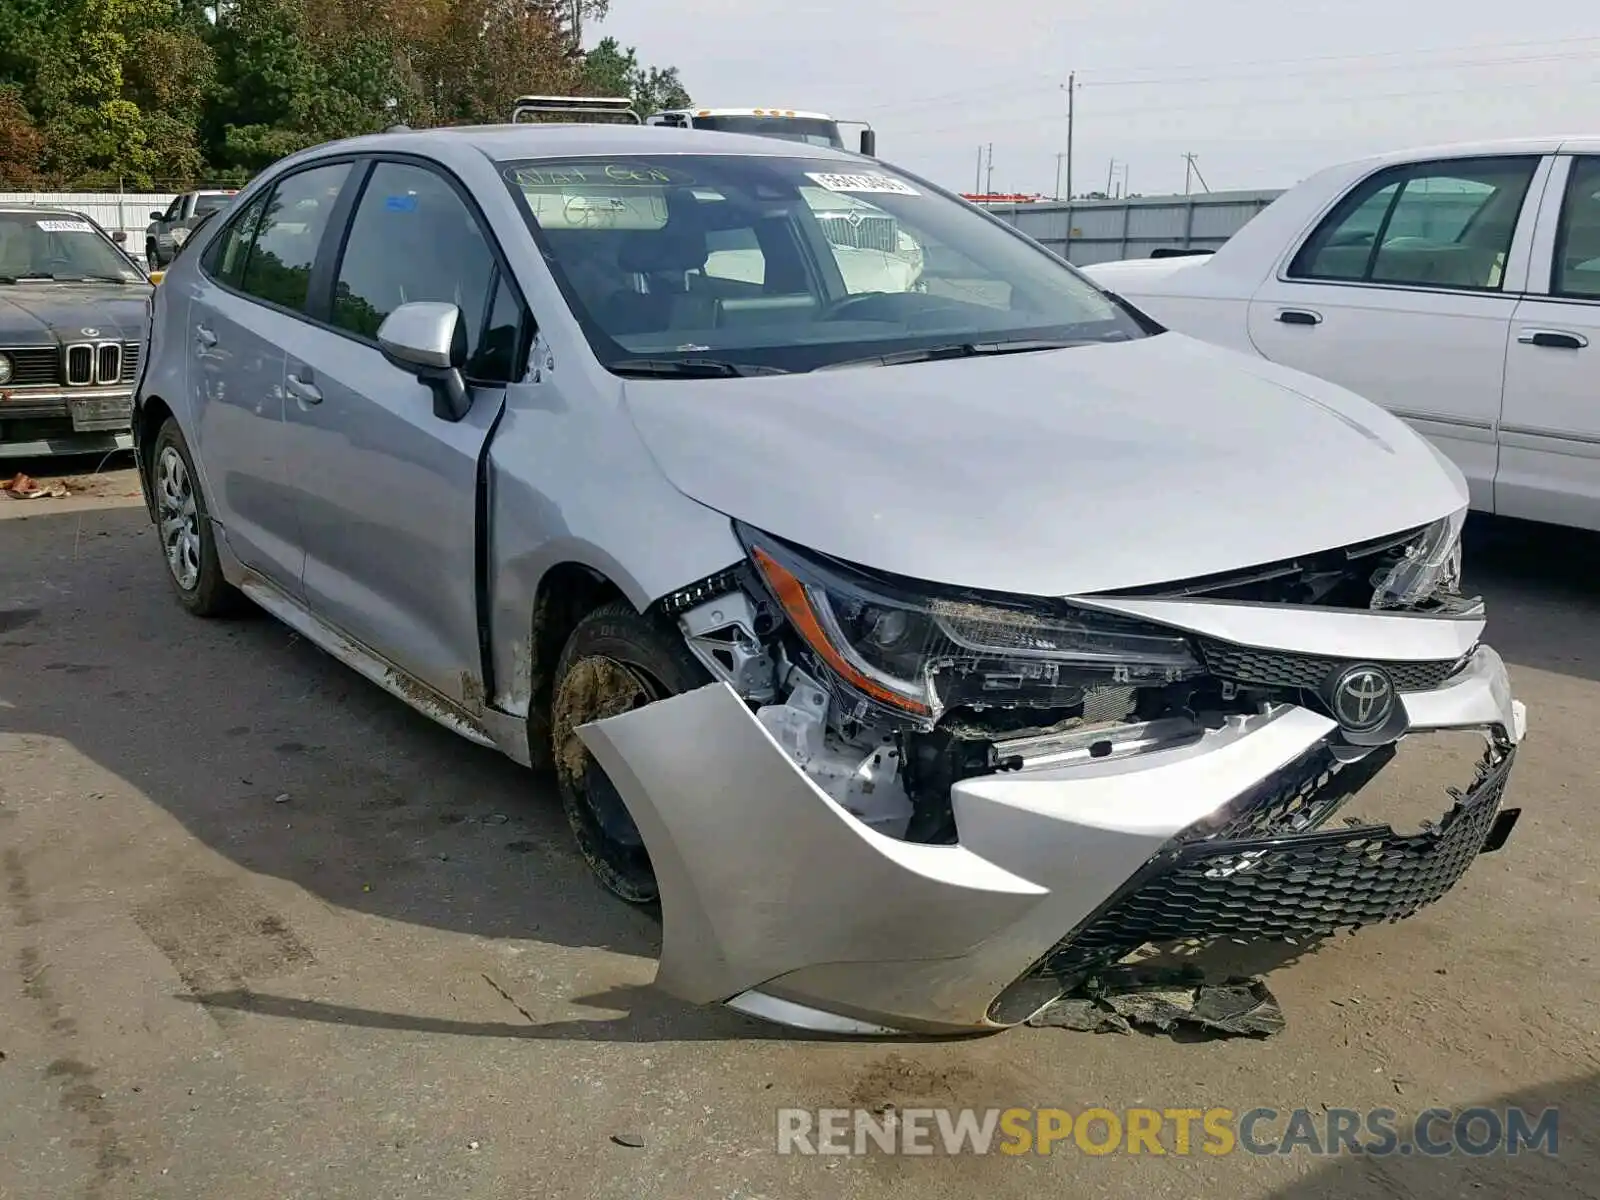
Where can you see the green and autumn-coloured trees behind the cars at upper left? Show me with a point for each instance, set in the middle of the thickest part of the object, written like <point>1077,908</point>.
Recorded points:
<point>135,94</point>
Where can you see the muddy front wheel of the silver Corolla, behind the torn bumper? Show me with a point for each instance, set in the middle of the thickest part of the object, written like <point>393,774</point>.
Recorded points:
<point>617,660</point>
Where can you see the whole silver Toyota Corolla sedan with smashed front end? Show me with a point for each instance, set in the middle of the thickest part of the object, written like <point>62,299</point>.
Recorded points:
<point>914,623</point>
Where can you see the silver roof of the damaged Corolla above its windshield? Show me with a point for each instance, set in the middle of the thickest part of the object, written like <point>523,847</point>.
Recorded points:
<point>503,143</point>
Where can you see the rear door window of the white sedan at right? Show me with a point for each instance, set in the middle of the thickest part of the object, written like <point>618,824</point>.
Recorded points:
<point>1444,225</point>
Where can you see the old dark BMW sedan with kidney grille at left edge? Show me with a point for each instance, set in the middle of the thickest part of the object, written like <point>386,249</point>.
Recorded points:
<point>73,318</point>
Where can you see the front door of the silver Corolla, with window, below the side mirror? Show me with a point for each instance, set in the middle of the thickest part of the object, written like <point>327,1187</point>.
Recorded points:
<point>388,490</point>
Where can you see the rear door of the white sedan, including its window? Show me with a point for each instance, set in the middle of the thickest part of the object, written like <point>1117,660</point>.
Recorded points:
<point>1404,295</point>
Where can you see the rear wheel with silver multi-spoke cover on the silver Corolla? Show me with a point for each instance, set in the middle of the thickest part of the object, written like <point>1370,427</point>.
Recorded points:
<point>185,526</point>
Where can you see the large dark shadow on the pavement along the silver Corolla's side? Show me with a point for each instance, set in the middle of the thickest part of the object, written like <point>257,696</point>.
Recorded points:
<point>274,754</point>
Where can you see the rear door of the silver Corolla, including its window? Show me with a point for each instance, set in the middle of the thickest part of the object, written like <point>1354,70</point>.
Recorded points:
<point>250,303</point>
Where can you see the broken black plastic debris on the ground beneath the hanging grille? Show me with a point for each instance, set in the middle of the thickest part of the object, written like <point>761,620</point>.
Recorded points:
<point>1170,1004</point>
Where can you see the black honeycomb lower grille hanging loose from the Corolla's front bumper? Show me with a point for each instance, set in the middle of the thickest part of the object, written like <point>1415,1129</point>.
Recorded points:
<point>1254,882</point>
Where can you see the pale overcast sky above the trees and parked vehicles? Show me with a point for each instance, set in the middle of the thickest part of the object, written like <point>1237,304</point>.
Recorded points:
<point>1262,92</point>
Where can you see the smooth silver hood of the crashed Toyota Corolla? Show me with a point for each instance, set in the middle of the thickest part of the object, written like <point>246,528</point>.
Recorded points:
<point>1050,474</point>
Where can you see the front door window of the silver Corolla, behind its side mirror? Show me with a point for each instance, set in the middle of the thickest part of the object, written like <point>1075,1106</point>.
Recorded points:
<point>414,239</point>
